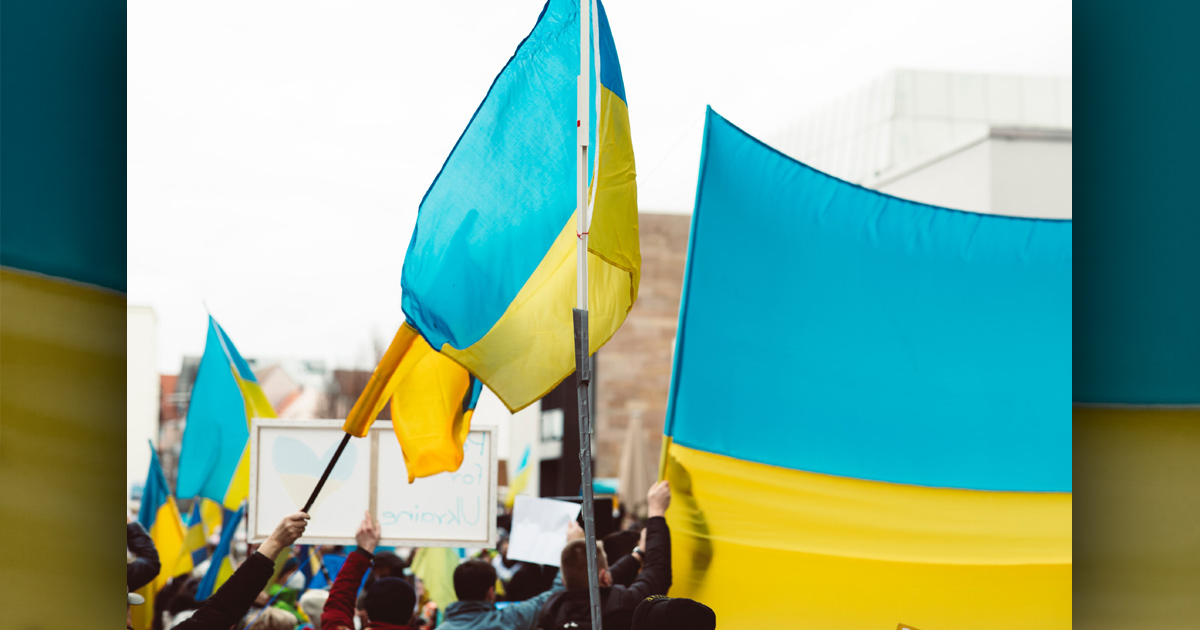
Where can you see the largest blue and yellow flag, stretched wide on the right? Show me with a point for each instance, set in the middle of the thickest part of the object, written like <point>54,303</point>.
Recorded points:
<point>869,421</point>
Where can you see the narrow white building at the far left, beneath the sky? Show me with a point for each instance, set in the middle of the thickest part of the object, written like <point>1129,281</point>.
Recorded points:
<point>142,393</point>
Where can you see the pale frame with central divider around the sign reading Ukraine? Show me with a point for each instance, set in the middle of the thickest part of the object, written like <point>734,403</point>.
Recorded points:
<point>380,430</point>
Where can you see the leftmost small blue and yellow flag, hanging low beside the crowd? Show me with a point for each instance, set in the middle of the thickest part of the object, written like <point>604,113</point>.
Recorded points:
<point>161,519</point>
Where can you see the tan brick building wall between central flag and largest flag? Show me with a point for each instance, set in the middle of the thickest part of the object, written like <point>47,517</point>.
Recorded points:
<point>634,369</point>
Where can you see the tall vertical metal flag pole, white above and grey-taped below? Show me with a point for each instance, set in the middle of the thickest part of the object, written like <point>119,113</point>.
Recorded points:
<point>583,362</point>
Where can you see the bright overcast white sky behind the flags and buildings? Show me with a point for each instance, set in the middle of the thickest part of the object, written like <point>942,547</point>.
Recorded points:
<point>278,151</point>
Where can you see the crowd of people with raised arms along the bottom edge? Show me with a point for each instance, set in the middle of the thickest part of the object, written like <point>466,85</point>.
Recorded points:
<point>377,590</point>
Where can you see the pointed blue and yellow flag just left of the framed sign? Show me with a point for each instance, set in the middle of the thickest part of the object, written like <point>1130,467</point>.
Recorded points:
<point>214,461</point>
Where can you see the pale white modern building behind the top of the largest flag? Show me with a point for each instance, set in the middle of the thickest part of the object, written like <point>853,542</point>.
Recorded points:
<point>986,143</point>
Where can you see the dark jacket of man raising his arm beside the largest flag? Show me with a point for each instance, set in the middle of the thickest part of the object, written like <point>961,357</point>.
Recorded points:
<point>619,602</point>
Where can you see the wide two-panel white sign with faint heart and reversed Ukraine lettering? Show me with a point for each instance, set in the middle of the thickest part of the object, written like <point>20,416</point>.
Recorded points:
<point>451,509</point>
